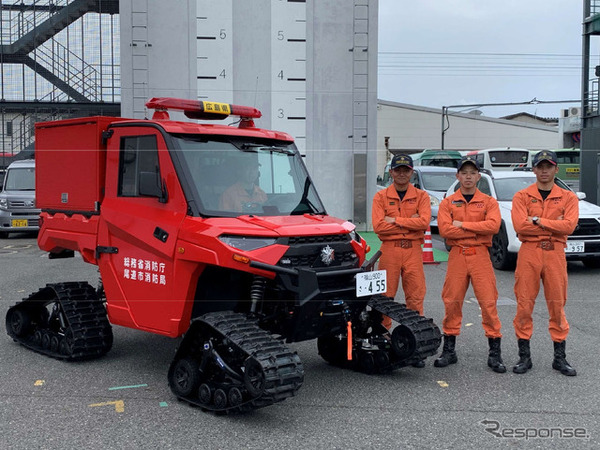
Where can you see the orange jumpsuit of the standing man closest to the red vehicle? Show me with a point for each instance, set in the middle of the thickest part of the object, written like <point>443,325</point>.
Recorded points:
<point>401,242</point>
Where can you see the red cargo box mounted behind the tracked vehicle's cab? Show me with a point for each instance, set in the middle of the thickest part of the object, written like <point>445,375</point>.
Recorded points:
<point>71,163</point>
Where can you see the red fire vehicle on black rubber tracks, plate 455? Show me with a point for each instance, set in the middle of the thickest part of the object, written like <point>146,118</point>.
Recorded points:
<point>212,232</point>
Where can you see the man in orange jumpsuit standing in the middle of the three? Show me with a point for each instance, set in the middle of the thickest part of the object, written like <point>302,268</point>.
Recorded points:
<point>467,220</point>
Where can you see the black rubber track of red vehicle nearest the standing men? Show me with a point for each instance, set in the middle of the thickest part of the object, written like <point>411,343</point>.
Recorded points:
<point>427,335</point>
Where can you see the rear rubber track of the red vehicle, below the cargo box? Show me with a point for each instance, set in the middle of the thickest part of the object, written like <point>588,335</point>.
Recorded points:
<point>86,319</point>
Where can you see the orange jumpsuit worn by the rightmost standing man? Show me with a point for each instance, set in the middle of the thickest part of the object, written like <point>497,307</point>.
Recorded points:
<point>542,255</point>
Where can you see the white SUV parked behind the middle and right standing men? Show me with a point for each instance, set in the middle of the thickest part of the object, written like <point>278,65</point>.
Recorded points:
<point>583,245</point>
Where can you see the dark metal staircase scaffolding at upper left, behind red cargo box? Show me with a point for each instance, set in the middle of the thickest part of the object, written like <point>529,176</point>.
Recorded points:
<point>58,59</point>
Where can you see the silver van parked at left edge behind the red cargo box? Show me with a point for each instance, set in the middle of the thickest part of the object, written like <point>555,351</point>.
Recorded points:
<point>17,199</point>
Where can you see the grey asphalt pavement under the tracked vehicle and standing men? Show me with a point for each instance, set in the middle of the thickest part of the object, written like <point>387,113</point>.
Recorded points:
<point>122,399</point>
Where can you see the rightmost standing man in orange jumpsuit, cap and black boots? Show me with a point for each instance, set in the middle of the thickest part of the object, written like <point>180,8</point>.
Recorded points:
<point>543,216</point>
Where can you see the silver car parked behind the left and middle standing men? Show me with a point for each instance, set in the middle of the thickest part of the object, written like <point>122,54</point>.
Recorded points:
<point>435,181</point>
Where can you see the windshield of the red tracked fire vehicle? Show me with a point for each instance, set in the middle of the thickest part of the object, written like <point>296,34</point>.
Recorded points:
<point>230,177</point>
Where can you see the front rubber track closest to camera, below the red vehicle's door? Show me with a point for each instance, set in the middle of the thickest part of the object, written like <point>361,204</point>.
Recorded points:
<point>284,372</point>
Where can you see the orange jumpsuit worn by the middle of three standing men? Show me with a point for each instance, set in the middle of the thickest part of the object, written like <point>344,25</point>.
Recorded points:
<point>469,259</point>
